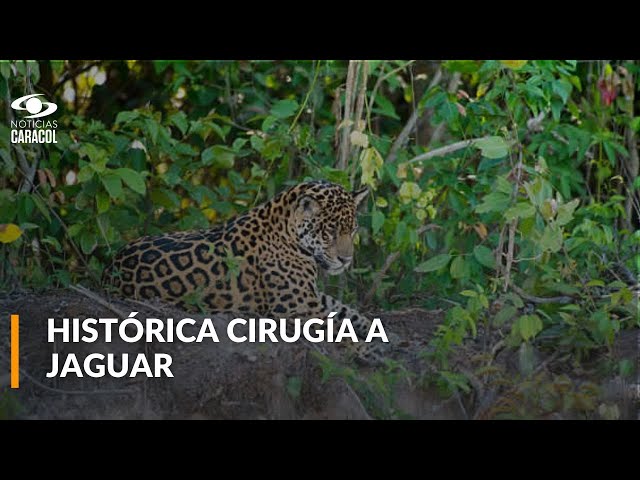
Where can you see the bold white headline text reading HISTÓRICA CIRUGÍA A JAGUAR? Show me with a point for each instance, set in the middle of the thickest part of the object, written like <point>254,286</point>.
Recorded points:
<point>131,330</point>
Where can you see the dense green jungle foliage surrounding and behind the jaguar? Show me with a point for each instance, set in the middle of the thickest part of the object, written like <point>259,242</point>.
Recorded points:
<point>504,192</point>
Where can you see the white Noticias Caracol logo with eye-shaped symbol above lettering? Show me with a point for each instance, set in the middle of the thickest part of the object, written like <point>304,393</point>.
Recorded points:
<point>30,129</point>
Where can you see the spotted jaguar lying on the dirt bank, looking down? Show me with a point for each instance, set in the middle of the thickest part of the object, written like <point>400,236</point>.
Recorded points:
<point>263,262</point>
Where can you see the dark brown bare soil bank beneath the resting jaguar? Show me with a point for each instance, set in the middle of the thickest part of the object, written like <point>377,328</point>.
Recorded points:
<point>229,380</point>
